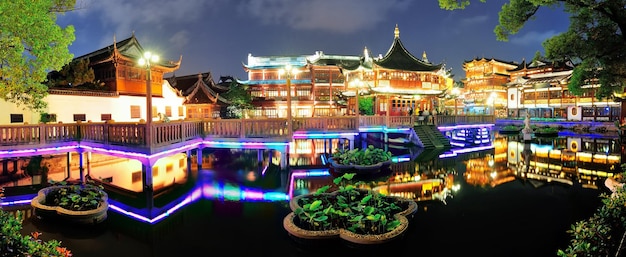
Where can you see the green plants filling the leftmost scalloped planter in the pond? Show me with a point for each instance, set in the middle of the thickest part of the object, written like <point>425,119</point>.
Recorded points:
<point>76,197</point>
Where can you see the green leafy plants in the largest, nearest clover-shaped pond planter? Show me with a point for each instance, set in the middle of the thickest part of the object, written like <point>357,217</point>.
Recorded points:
<point>360,211</point>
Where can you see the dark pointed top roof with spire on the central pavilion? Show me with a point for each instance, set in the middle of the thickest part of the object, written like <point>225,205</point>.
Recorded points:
<point>399,58</point>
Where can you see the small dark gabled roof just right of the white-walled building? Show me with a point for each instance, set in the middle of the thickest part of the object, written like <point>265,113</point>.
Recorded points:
<point>197,89</point>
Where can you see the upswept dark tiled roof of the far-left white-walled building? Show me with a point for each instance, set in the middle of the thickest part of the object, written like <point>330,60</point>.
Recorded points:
<point>129,49</point>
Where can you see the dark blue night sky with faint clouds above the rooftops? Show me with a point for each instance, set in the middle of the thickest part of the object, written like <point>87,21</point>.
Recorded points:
<point>217,35</point>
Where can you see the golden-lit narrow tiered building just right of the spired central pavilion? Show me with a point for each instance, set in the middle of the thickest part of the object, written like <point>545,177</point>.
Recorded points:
<point>485,83</point>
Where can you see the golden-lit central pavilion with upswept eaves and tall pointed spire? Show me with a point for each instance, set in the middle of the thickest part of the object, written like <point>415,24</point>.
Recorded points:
<point>399,81</point>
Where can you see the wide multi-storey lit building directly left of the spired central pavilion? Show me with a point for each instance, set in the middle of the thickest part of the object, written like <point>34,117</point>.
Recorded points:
<point>316,84</point>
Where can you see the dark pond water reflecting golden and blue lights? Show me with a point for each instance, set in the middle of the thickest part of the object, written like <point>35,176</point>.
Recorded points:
<point>509,199</point>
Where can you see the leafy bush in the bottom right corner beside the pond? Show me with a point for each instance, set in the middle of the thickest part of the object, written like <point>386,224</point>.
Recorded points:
<point>603,233</point>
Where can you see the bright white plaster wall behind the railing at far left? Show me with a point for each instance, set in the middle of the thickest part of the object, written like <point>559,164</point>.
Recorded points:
<point>65,106</point>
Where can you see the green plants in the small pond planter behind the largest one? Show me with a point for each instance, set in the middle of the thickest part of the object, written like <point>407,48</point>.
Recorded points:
<point>368,156</point>
